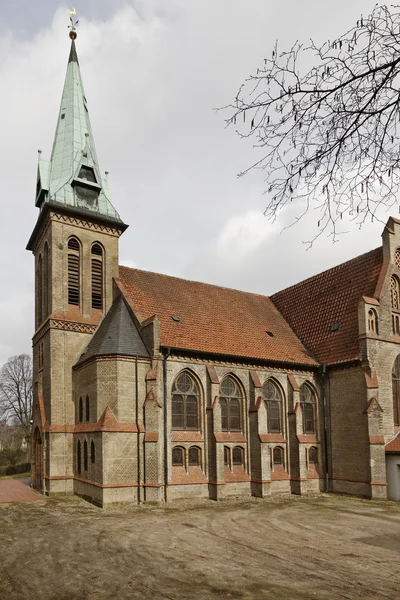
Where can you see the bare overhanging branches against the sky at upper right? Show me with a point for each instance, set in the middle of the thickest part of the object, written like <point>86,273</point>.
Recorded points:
<point>328,136</point>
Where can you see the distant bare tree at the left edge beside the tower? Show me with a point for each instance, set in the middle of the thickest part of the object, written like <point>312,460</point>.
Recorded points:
<point>16,391</point>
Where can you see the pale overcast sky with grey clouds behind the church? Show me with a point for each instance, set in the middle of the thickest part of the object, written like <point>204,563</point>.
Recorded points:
<point>153,72</point>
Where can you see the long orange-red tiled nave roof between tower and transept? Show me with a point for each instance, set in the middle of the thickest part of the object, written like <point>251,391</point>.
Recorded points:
<point>205,318</point>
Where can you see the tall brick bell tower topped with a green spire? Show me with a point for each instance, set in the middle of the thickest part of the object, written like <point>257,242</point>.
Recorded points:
<point>75,245</point>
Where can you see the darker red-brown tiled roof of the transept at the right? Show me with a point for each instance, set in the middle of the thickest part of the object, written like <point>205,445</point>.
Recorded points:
<point>323,310</point>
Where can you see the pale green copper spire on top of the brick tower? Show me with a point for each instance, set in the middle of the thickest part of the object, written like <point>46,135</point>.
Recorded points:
<point>72,177</point>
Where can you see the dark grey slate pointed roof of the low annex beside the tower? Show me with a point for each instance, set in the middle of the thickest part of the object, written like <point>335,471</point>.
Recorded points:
<point>116,335</point>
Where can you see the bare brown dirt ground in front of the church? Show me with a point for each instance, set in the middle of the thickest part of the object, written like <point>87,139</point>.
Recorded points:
<point>278,549</point>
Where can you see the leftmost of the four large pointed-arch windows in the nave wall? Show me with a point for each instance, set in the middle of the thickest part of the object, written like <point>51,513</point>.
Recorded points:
<point>185,403</point>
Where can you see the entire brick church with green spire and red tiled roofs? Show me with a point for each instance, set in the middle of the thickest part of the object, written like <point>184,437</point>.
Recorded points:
<point>151,388</point>
